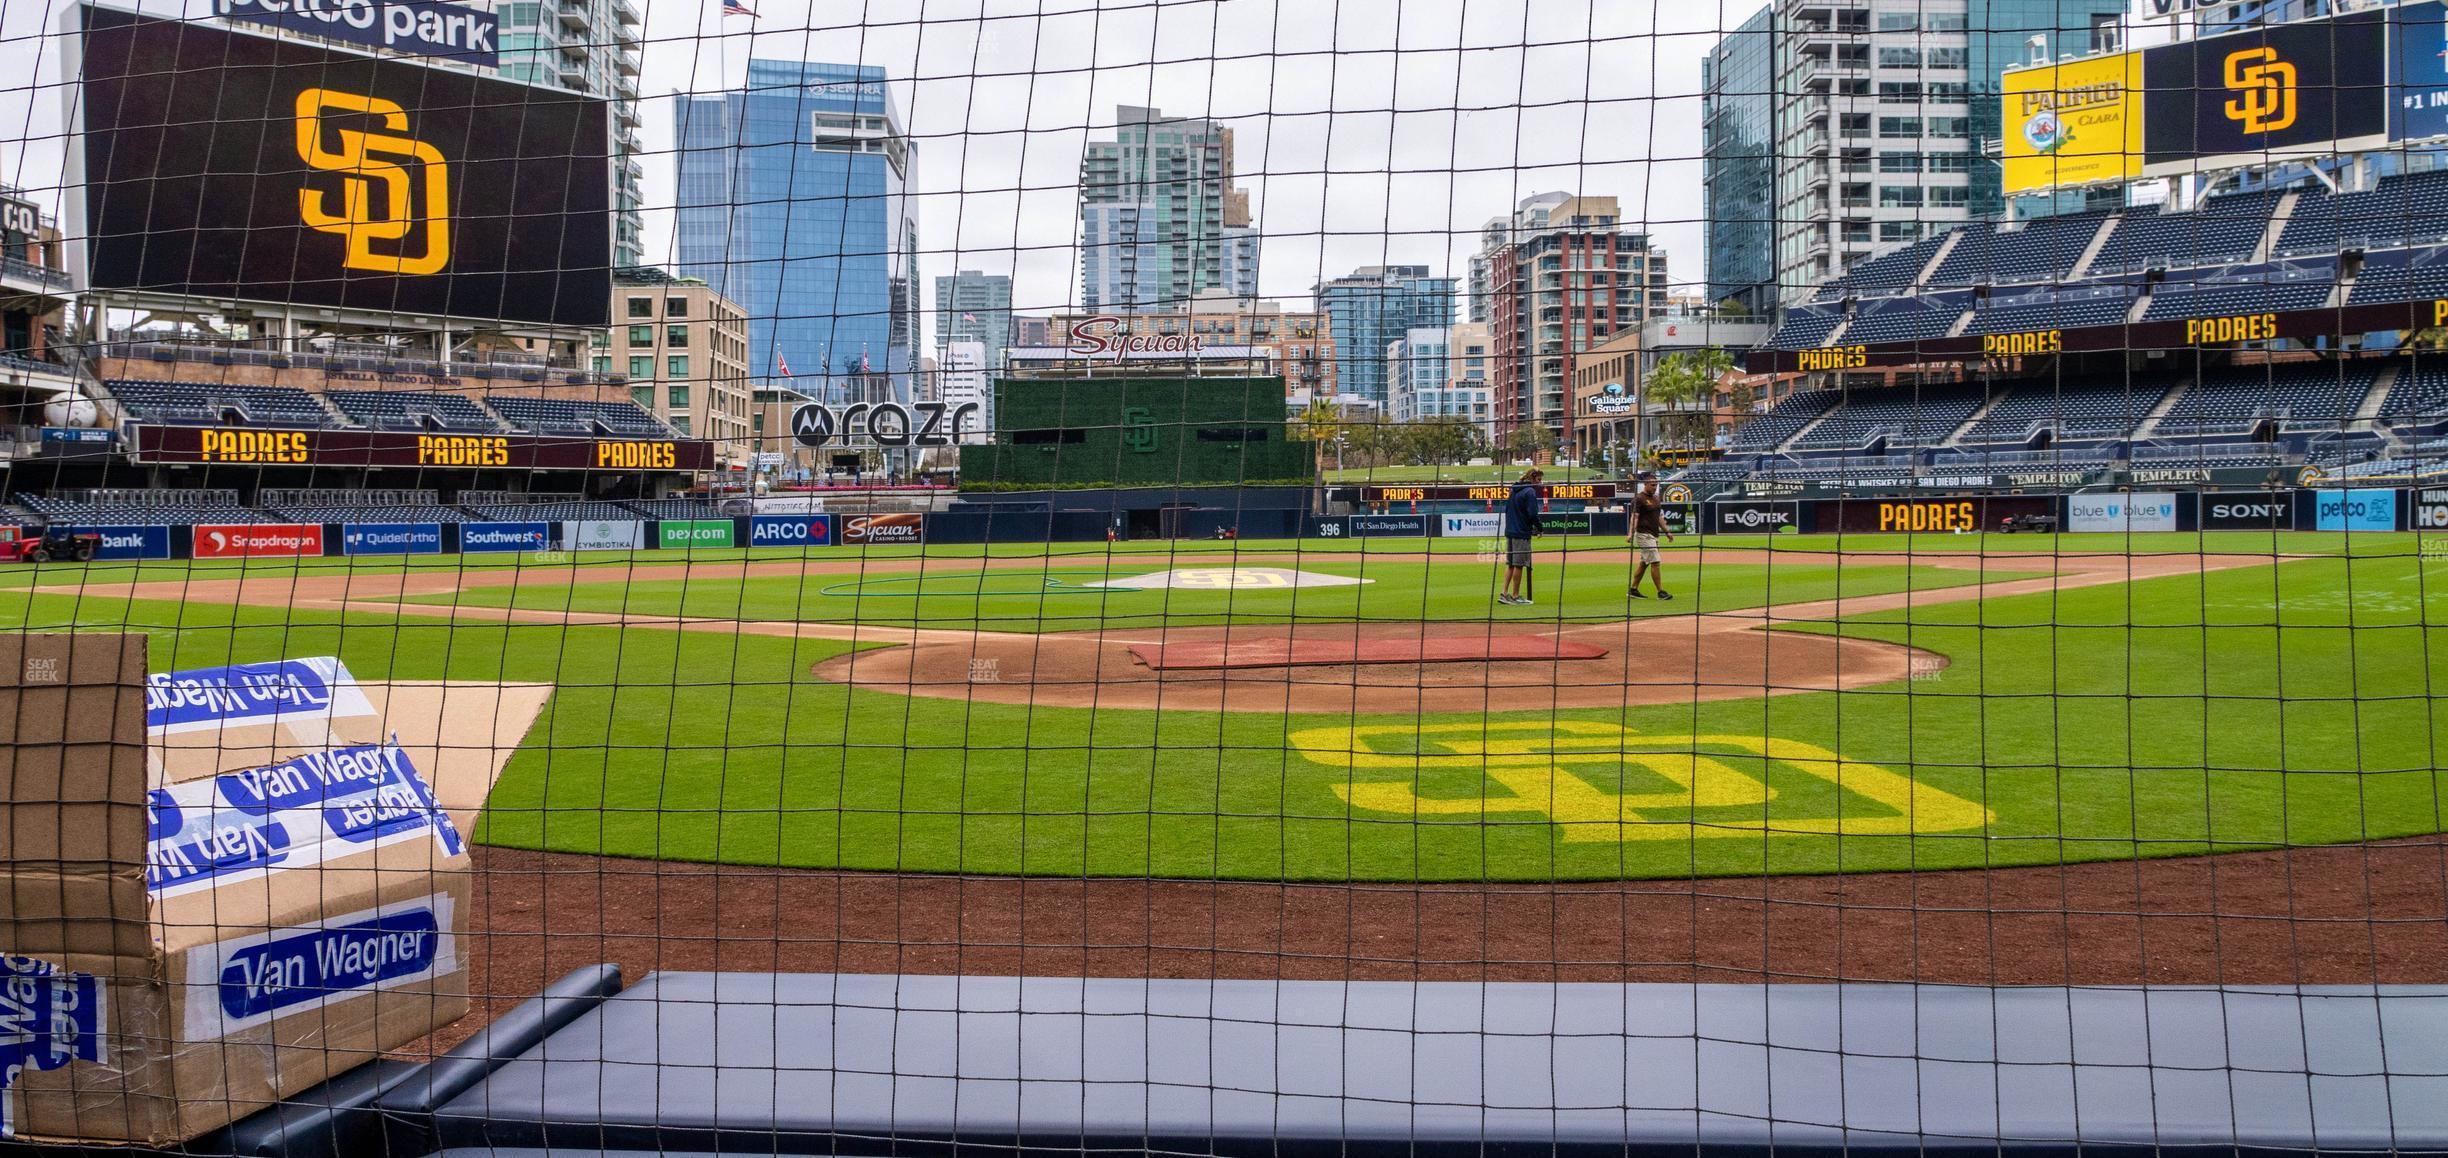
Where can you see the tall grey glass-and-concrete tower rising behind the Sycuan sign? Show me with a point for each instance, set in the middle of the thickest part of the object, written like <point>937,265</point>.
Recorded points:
<point>1162,217</point>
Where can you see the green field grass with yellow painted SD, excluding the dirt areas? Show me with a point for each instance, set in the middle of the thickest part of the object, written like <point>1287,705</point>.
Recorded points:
<point>2278,704</point>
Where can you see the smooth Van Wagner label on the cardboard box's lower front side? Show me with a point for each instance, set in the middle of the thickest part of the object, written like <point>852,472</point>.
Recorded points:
<point>290,971</point>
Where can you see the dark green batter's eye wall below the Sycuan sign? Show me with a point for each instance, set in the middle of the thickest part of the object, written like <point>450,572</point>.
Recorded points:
<point>1140,432</point>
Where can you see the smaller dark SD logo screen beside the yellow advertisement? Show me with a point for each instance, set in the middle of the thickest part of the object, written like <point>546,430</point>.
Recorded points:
<point>2273,92</point>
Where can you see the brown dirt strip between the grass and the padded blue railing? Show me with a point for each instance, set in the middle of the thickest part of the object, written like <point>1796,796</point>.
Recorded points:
<point>2305,917</point>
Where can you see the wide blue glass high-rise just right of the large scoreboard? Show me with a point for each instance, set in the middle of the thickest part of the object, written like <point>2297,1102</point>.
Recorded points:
<point>794,204</point>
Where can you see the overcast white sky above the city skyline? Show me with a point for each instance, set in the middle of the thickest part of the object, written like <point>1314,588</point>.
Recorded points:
<point>1367,131</point>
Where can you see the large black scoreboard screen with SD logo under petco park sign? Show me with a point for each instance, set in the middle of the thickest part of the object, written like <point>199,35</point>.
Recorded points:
<point>368,182</point>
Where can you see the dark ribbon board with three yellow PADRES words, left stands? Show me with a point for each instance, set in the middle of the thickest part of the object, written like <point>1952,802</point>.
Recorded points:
<point>400,449</point>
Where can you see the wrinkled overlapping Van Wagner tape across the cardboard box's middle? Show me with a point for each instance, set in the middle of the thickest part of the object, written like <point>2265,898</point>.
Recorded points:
<point>293,814</point>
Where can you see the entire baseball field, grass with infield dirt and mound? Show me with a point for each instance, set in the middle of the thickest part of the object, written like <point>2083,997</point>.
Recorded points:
<point>1277,711</point>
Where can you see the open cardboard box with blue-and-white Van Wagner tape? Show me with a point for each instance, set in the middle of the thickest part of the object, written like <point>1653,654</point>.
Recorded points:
<point>224,887</point>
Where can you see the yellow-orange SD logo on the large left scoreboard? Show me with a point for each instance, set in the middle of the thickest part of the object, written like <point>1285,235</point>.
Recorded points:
<point>378,182</point>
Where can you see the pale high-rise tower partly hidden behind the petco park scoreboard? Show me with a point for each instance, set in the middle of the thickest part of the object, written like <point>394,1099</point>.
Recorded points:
<point>586,48</point>
